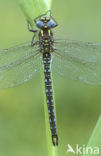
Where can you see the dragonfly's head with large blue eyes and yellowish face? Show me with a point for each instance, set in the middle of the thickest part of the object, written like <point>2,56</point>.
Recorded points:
<point>45,23</point>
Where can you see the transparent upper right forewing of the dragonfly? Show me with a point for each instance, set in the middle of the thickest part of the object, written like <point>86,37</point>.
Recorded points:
<point>85,51</point>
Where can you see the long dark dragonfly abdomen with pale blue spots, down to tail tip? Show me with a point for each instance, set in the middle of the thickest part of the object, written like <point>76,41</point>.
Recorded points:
<point>49,96</point>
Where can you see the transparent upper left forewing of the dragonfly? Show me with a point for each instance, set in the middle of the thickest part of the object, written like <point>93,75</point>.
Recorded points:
<point>12,55</point>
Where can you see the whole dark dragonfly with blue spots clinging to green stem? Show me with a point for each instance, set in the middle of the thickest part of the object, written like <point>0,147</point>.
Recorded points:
<point>75,60</point>
